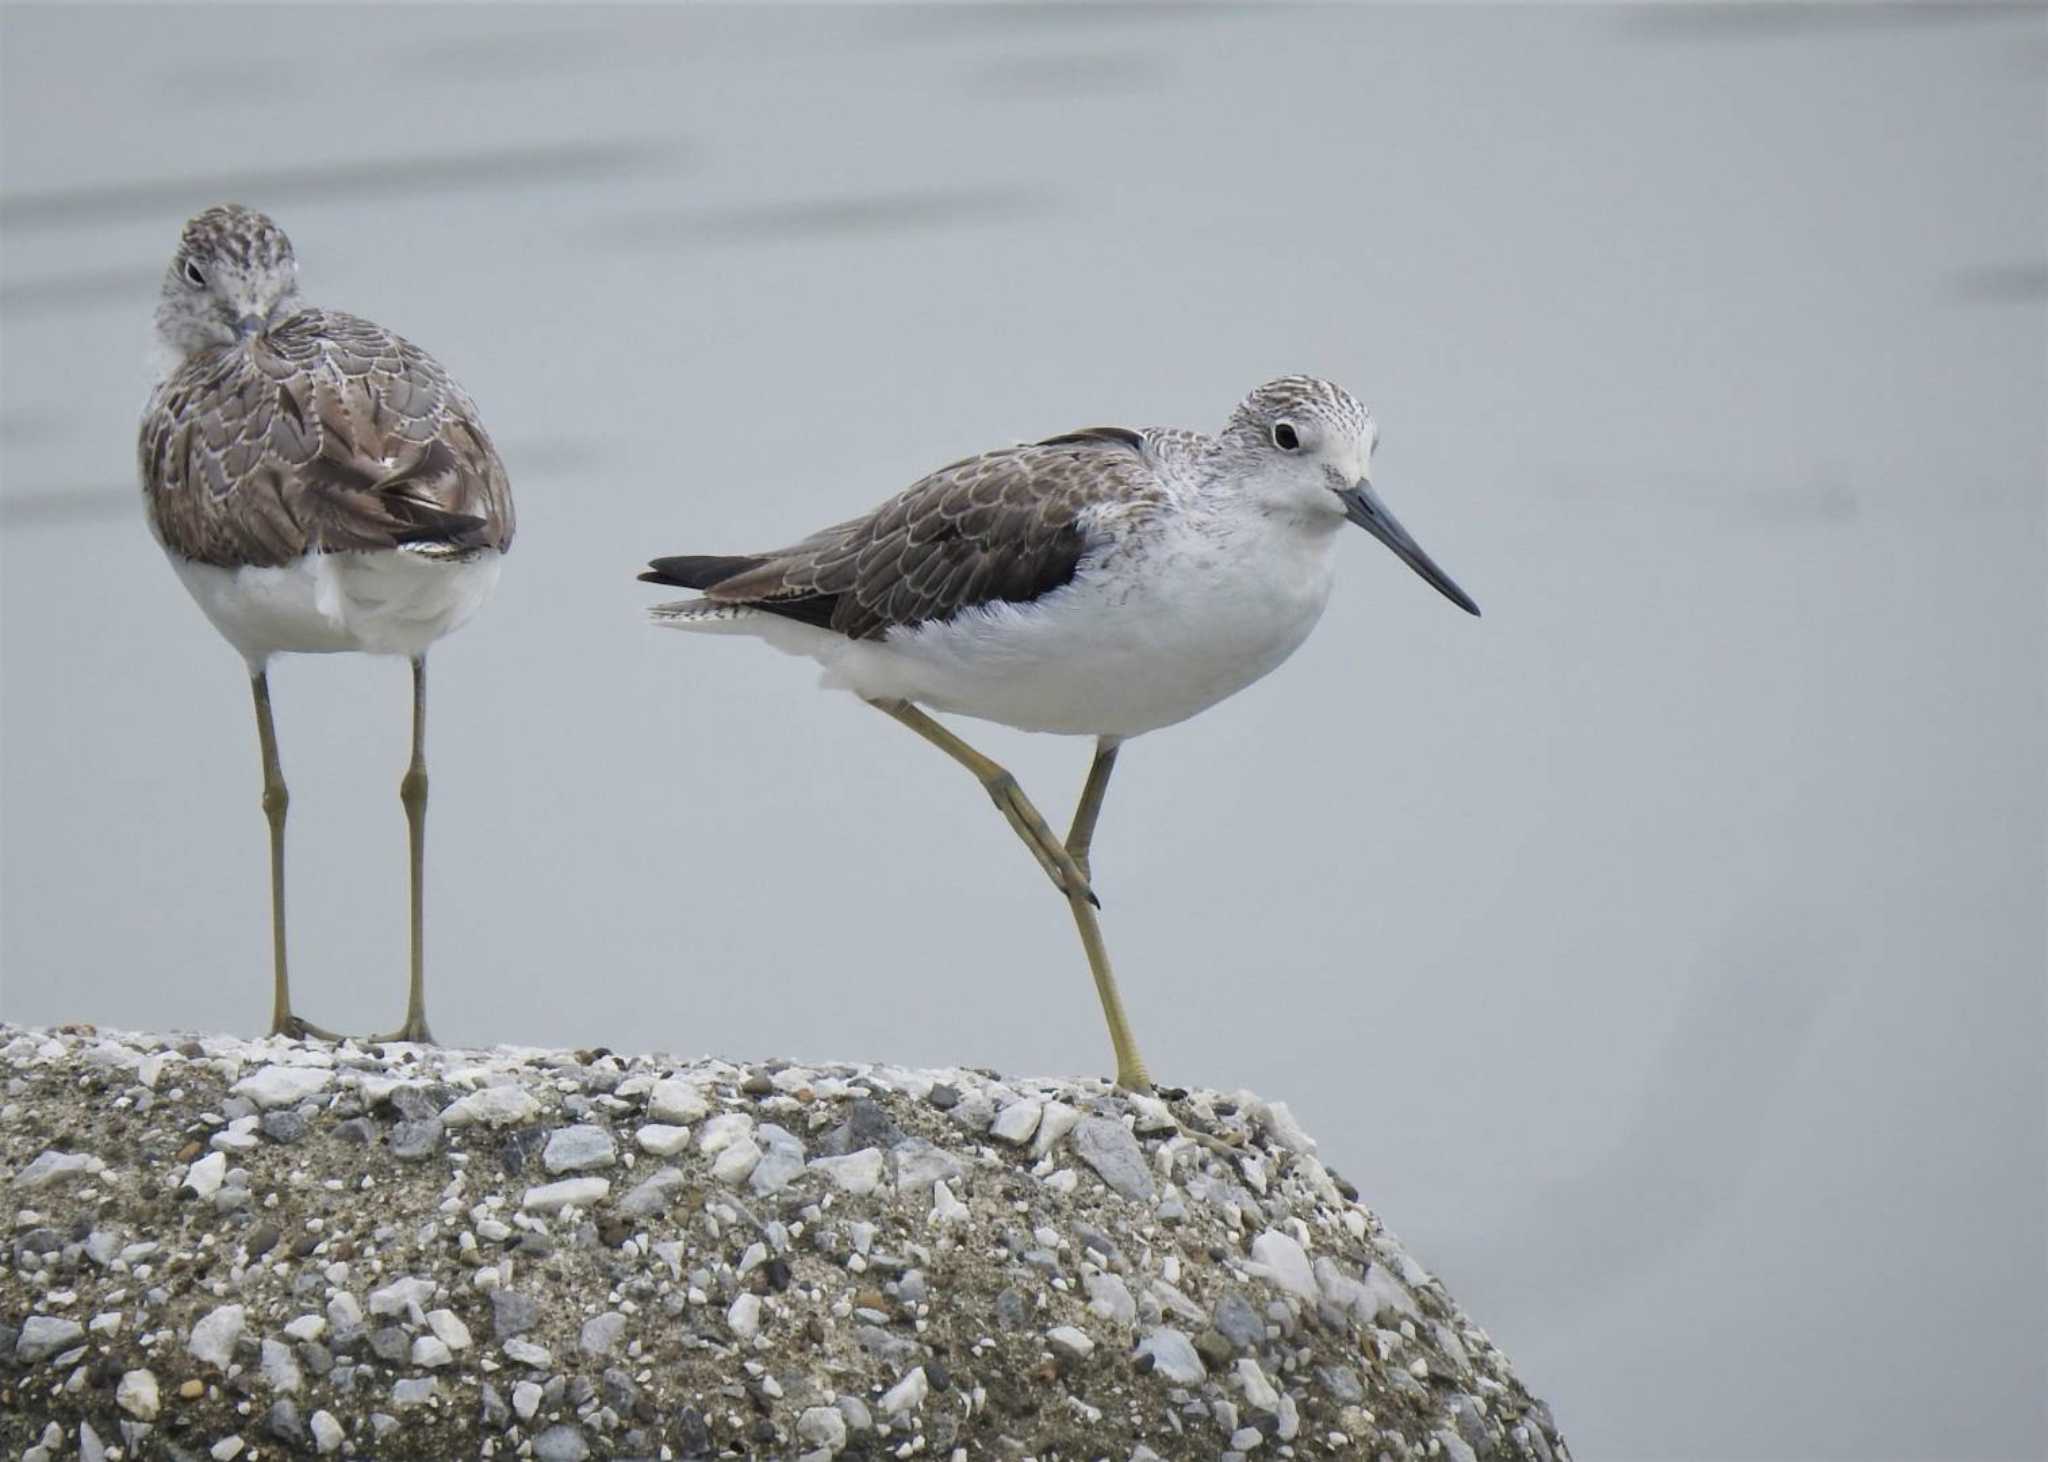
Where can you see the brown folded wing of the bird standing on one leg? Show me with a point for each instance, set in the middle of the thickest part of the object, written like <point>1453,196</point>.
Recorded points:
<point>1002,527</point>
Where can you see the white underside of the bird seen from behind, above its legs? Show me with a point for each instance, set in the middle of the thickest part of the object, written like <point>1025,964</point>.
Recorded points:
<point>384,603</point>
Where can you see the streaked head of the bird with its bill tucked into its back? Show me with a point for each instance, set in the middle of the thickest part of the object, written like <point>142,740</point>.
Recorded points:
<point>232,277</point>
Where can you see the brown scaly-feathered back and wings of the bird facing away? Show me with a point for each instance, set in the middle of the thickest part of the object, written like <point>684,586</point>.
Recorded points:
<point>323,435</point>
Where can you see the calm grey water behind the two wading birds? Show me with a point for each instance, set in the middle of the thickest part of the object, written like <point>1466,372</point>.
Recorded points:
<point>1662,955</point>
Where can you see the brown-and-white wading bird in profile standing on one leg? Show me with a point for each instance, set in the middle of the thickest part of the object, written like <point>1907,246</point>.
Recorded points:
<point>1105,583</point>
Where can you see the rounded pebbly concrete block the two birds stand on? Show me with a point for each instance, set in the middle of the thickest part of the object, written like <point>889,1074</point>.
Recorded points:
<point>255,1250</point>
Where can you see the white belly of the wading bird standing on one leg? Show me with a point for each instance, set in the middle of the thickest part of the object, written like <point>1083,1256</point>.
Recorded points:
<point>1111,654</point>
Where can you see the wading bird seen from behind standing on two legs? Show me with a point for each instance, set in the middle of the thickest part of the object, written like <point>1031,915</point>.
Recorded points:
<point>318,484</point>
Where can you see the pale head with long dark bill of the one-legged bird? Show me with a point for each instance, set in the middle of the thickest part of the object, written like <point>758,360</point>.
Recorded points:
<point>1304,447</point>
